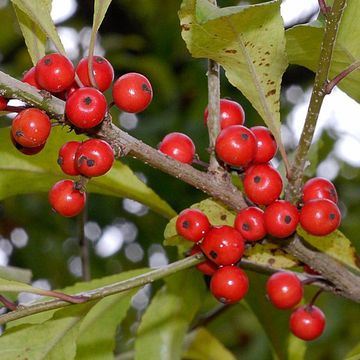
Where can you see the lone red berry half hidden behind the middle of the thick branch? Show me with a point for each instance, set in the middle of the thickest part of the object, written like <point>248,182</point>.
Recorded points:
<point>178,146</point>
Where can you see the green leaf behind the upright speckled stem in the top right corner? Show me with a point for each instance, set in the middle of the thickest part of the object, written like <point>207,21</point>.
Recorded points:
<point>303,48</point>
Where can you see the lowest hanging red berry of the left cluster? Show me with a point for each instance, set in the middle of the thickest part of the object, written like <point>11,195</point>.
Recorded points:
<point>65,199</point>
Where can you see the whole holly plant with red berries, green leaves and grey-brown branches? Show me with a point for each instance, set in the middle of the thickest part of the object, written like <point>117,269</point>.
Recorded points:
<point>262,237</point>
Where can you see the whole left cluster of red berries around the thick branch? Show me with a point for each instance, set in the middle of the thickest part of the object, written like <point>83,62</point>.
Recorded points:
<point>85,108</point>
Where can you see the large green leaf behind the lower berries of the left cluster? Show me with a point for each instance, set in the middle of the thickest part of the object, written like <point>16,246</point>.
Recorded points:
<point>21,174</point>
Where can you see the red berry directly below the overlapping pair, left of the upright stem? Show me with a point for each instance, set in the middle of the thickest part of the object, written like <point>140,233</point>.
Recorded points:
<point>262,184</point>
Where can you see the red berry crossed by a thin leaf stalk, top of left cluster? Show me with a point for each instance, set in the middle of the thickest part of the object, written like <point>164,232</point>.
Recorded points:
<point>102,69</point>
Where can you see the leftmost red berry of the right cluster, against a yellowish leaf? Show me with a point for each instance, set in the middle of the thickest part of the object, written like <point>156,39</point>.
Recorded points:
<point>192,224</point>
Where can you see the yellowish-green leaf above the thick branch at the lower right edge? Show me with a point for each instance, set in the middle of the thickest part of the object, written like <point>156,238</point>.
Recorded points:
<point>336,245</point>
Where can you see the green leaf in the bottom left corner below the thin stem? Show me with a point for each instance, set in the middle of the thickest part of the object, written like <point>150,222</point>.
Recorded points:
<point>53,340</point>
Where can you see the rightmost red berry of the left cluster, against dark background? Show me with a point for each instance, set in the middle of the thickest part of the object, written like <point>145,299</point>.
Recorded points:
<point>132,92</point>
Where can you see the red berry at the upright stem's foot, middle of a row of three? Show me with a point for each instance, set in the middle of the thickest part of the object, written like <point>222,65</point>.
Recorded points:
<point>281,218</point>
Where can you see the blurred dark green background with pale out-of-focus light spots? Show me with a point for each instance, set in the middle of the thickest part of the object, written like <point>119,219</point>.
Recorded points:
<point>144,36</point>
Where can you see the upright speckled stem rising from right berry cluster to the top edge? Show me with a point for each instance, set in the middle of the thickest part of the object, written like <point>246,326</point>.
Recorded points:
<point>293,191</point>
